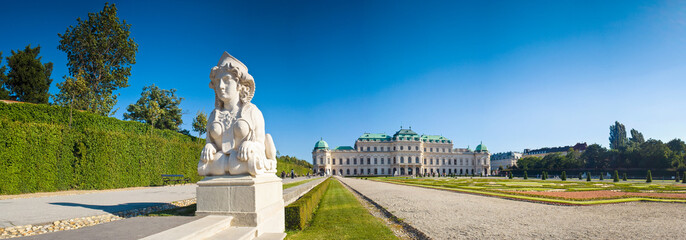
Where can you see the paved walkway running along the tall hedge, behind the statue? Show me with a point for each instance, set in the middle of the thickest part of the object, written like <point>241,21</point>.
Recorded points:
<point>46,209</point>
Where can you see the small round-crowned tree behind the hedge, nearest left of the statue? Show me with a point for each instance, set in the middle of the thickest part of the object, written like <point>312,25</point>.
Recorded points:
<point>167,102</point>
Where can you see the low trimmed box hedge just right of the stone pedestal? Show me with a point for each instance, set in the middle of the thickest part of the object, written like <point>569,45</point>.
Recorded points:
<point>301,211</point>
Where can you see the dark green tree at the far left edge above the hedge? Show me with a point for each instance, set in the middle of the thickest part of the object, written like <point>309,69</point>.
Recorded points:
<point>28,79</point>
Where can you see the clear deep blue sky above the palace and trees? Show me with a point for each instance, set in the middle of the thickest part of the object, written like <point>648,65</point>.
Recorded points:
<point>513,74</point>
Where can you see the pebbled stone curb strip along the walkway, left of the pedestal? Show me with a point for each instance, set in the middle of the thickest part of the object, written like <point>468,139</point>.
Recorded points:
<point>76,223</point>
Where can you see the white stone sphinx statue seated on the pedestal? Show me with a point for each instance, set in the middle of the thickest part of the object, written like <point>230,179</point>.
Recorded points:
<point>236,140</point>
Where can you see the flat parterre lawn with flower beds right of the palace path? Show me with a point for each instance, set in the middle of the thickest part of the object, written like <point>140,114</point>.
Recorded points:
<point>512,188</point>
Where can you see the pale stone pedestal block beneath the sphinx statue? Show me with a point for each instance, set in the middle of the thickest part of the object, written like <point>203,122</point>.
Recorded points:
<point>251,201</point>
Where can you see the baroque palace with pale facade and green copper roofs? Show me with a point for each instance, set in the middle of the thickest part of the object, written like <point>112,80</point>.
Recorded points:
<point>404,153</point>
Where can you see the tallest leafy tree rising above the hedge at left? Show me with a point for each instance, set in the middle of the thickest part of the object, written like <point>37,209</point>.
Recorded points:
<point>100,49</point>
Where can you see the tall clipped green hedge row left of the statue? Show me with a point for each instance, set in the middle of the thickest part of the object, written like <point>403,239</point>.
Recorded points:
<point>40,152</point>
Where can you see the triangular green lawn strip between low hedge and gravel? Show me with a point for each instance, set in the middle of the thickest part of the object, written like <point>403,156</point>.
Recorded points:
<point>341,216</point>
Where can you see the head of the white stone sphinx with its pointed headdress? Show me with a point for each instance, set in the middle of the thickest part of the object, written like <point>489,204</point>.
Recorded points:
<point>231,81</point>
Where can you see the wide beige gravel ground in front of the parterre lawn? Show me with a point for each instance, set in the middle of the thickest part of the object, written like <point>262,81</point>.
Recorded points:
<point>450,215</point>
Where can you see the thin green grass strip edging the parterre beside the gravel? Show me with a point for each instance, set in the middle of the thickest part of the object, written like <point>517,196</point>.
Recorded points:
<point>540,199</point>
